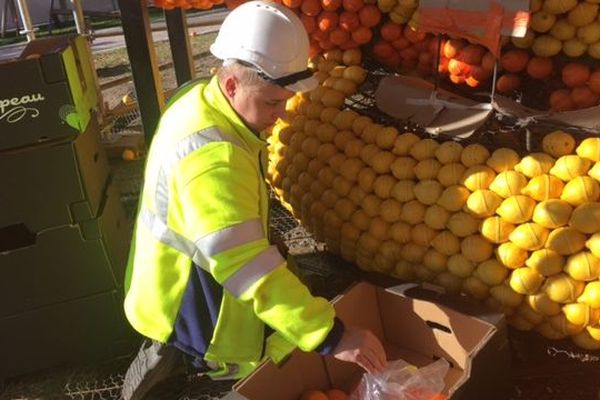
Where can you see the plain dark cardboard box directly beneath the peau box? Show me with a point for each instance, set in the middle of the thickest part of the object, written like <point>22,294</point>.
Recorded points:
<point>53,184</point>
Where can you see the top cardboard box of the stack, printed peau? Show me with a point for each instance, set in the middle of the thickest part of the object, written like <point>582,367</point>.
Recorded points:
<point>49,92</point>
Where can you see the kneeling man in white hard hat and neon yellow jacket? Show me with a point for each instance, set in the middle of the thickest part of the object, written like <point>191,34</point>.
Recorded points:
<point>202,278</point>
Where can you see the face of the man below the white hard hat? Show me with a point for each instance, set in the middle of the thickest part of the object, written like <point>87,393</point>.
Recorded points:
<point>260,106</point>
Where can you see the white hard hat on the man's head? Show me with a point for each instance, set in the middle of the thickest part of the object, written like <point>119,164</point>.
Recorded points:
<point>271,38</point>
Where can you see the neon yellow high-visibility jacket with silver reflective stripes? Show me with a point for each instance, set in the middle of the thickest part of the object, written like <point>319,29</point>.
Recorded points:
<point>205,202</point>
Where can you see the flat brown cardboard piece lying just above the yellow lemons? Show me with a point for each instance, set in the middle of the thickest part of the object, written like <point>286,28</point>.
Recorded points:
<point>438,111</point>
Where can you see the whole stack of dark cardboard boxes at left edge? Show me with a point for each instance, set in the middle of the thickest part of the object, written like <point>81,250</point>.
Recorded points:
<point>63,233</point>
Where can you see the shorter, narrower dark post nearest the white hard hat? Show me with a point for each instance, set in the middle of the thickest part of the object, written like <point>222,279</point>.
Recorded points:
<point>180,45</point>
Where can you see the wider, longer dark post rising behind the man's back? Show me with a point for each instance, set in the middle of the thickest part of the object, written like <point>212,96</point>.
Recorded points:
<point>140,49</point>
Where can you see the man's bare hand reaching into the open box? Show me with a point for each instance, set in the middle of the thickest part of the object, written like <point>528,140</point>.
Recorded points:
<point>361,347</point>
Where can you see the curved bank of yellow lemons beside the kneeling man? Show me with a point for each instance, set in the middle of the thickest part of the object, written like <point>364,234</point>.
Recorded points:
<point>521,234</point>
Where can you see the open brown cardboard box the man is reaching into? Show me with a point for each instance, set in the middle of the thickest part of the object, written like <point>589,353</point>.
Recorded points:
<point>415,325</point>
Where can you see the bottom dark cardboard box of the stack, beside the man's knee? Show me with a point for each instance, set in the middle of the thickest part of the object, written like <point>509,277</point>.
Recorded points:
<point>82,330</point>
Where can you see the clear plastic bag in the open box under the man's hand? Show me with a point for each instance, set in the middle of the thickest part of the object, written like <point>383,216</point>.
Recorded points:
<point>403,381</point>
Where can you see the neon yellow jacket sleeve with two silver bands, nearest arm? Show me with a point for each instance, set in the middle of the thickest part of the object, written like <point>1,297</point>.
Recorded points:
<point>219,198</point>
